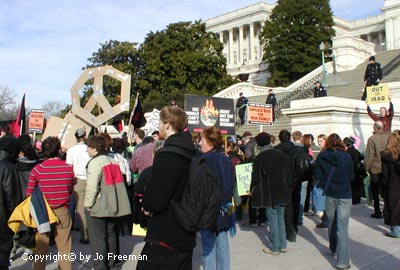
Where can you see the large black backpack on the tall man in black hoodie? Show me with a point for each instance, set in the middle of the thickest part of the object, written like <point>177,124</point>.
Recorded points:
<point>202,196</point>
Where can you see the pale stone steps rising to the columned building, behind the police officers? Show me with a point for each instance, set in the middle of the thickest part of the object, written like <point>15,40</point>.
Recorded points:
<point>348,84</point>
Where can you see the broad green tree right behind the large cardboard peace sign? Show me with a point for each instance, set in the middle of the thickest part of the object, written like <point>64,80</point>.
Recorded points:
<point>183,58</point>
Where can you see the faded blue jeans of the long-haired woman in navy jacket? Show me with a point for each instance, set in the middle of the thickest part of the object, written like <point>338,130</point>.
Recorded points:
<point>338,215</point>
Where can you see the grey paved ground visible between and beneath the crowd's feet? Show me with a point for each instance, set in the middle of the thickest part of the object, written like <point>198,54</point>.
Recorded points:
<point>369,248</point>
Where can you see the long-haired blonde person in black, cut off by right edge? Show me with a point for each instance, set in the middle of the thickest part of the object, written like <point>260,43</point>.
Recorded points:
<point>391,185</point>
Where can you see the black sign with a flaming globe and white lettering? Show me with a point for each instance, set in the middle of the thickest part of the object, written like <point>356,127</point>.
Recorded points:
<point>206,112</point>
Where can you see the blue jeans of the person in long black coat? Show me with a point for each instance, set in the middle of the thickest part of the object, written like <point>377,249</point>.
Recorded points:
<point>277,233</point>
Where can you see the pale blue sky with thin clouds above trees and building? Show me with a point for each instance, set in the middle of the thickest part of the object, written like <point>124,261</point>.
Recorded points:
<point>45,43</point>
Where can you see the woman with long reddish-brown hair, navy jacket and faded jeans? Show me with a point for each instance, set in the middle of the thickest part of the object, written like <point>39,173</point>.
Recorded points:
<point>334,169</point>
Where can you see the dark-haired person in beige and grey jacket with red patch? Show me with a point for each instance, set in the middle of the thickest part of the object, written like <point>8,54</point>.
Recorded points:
<point>106,200</point>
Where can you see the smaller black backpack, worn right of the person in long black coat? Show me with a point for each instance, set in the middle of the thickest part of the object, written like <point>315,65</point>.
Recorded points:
<point>302,164</point>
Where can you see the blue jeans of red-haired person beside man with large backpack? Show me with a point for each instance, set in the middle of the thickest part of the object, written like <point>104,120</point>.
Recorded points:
<point>215,250</point>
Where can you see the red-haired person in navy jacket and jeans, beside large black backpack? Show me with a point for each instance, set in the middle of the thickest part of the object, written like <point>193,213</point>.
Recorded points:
<point>215,240</point>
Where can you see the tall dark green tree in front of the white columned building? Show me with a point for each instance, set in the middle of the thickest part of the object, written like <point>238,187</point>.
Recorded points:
<point>291,37</point>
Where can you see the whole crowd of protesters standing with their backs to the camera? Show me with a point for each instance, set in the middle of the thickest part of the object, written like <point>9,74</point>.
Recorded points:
<point>101,186</point>
